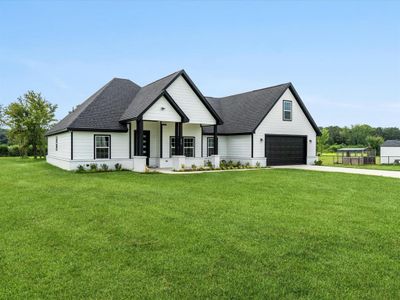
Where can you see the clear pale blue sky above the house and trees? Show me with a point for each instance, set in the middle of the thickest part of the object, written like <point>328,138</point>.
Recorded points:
<point>342,57</point>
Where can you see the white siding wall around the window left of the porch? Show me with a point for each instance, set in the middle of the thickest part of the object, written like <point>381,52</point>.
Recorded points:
<point>84,145</point>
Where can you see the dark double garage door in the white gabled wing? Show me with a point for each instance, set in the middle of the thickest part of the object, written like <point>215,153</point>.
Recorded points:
<point>285,149</point>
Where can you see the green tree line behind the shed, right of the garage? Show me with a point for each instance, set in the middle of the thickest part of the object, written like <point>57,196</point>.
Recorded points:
<point>335,137</point>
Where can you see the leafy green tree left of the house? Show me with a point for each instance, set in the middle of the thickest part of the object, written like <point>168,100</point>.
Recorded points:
<point>28,119</point>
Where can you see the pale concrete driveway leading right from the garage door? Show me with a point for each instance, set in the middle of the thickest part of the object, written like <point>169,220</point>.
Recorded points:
<point>393,174</point>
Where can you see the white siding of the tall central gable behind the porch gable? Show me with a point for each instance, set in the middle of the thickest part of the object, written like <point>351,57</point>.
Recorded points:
<point>190,104</point>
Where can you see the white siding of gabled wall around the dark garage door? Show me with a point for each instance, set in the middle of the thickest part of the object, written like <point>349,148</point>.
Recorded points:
<point>273,124</point>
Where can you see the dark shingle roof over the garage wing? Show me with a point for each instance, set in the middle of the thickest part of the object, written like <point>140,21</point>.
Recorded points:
<point>242,113</point>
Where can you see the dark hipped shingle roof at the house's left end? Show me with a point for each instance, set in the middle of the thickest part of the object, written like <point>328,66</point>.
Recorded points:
<point>102,110</point>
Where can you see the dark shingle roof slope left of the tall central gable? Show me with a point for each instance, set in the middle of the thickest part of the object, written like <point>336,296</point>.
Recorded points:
<point>147,95</point>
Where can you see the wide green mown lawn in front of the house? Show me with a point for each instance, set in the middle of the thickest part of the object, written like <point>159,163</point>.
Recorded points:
<point>272,233</point>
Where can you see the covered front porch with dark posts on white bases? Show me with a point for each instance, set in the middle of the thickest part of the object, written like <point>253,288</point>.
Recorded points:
<point>175,145</point>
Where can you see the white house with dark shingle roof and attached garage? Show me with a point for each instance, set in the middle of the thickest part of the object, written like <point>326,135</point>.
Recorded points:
<point>169,123</point>
